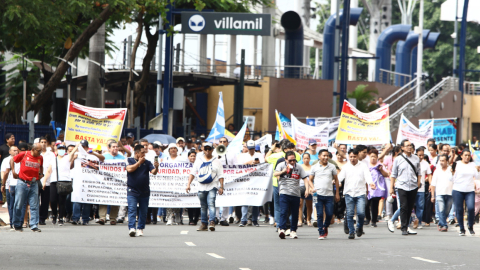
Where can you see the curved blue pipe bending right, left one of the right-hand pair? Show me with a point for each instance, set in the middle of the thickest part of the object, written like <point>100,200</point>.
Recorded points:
<point>384,47</point>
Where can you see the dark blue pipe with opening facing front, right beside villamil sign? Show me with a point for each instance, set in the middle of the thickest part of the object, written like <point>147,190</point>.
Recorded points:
<point>292,23</point>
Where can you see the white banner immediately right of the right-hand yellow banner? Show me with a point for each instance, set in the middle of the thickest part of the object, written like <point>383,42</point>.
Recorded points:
<point>417,136</point>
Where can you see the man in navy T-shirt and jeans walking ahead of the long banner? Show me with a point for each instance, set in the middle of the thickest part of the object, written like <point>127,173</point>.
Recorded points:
<point>138,189</point>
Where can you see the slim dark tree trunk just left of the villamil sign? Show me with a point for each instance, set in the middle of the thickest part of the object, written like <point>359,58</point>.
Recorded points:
<point>141,85</point>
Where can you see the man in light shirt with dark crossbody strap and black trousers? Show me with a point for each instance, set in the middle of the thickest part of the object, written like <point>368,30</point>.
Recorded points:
<point>406,177</point>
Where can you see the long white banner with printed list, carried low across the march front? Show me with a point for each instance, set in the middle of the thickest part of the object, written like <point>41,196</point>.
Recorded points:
<point>106,184</point>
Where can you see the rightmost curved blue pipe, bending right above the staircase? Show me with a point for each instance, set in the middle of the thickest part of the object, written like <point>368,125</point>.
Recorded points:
<point>403,53</point>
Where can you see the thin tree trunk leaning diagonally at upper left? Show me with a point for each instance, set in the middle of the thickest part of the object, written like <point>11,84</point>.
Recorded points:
<point>42,98</point>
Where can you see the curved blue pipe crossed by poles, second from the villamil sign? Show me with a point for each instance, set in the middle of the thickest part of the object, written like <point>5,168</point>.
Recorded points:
<point>328,57</point>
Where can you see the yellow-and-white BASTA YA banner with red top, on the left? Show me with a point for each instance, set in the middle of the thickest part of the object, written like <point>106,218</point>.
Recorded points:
<point>96,125</point>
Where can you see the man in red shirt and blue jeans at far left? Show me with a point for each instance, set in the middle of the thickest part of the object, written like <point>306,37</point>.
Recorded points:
<point>31,170</point>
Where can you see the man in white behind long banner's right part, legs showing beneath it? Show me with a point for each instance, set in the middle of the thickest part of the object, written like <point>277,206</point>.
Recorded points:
<point>250,158</point>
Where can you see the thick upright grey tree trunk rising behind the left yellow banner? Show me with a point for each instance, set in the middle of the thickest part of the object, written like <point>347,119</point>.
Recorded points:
<point>97,54</point>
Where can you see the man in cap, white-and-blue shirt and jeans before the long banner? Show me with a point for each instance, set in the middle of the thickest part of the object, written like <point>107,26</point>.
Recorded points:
<point>210,175</point>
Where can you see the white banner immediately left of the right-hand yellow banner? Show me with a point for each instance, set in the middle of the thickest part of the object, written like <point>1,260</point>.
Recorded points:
<point>303,133</point>
